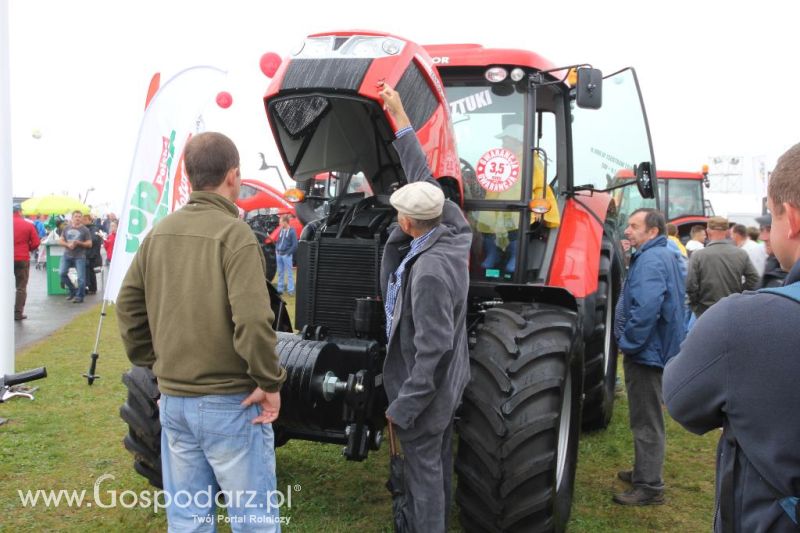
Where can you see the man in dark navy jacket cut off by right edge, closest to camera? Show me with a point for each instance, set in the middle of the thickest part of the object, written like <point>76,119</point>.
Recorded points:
<point>724,376</point>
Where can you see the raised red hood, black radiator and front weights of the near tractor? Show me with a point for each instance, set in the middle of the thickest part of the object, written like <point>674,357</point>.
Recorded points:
<point>336,141</point>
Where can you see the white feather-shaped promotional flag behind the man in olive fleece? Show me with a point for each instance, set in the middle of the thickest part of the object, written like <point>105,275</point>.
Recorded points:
<point>157,185</point>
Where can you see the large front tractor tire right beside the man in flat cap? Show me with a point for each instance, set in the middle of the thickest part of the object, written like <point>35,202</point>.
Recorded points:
<point>520,420</point>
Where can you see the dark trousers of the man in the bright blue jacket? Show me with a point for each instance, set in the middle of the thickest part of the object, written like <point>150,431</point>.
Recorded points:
<point>643,383</point>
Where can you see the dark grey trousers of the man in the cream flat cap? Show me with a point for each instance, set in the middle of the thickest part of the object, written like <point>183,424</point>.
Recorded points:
<point>428,478</point>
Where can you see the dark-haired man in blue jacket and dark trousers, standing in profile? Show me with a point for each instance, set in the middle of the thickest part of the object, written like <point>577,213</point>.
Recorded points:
<point>650,329</point>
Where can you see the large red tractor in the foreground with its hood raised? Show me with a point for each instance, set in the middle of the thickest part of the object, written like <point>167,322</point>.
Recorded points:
<point>534,143</point>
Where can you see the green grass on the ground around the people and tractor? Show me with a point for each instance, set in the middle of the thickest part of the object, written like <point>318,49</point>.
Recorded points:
<point>72,434</point>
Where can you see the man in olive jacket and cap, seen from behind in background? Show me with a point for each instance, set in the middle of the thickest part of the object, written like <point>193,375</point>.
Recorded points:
<point>719,269</point>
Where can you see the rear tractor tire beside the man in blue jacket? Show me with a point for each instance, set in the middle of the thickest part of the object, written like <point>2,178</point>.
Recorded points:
<point>600,359</point>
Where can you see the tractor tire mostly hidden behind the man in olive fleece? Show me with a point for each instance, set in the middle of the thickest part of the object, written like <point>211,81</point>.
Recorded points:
<point>140,410</point>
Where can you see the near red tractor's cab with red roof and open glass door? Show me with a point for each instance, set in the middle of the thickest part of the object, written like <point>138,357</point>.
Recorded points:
<point>531,138</point>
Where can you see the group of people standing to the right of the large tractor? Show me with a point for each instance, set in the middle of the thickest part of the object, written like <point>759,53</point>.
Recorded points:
<point>683,325</point>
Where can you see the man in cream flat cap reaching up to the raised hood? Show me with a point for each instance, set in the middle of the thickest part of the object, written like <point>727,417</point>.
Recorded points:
<point>424,279</point>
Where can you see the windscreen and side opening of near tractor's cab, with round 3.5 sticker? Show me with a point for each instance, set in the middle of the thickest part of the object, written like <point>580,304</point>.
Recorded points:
<point>492,123</point>
